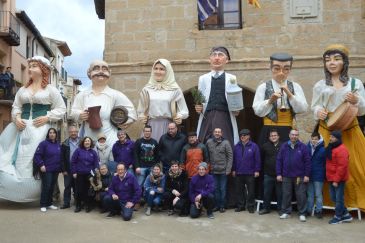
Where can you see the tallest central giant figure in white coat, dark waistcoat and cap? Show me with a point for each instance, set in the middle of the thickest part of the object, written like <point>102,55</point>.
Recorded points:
<point>214,112</point>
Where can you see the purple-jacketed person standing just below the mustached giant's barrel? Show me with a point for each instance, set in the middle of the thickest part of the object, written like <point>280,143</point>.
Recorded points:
<point>123,152</point>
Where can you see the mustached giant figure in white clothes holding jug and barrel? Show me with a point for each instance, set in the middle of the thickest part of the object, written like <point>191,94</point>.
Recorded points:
<point>100,94</point>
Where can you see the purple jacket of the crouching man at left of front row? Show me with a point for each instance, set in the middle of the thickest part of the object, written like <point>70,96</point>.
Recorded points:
<point>126,189</point>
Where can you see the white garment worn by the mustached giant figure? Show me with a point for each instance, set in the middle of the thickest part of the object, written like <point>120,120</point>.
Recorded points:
<point>108,99</point>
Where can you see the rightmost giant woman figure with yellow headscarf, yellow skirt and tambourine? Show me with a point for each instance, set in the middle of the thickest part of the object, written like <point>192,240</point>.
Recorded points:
<point>342,97</point>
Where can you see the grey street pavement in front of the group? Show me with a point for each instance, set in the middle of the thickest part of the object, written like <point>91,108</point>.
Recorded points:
<point>23,222</point>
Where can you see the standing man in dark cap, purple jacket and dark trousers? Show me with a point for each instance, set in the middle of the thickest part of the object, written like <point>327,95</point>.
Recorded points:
<point>246,167</point>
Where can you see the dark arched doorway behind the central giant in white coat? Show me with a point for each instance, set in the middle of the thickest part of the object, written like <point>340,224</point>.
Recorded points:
<point>246,118</point>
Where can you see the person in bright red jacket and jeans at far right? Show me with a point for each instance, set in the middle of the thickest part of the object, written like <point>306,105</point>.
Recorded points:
<point>337,160</point>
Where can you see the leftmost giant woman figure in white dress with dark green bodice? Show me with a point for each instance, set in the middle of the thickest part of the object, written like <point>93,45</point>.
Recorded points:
<point>36,105</point>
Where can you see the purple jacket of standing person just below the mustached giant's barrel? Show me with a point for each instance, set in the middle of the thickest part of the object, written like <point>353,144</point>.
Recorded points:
<point>124,152</point>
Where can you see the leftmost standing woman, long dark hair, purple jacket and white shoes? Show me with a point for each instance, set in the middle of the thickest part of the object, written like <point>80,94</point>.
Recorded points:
<point>48,158</point>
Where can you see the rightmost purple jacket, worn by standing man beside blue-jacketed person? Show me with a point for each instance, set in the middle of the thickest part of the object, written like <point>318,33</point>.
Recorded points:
<point>293,162</point>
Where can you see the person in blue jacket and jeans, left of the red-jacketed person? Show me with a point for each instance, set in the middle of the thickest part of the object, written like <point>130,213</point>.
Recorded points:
<point>318,173</point>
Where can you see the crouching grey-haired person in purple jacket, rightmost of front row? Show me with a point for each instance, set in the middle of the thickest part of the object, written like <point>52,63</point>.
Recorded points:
<point>201,192</point>
